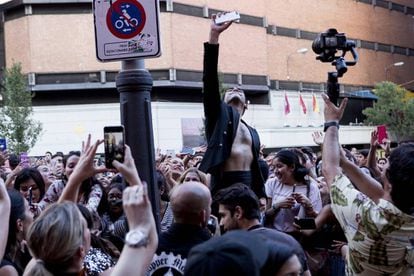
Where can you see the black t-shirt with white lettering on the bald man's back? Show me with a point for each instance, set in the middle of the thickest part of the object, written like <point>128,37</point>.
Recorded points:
<point>174,246</point>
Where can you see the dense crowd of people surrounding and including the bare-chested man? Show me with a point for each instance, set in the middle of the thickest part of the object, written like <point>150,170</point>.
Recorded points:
<point>228,209</point>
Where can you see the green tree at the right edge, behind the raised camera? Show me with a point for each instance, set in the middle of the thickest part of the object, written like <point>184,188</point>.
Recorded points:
<point>393,109</point>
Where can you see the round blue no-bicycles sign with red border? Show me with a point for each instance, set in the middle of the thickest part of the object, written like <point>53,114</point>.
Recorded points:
<point>125,18</point>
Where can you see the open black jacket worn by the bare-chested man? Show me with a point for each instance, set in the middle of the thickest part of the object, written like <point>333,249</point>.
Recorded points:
<point>221,122</point>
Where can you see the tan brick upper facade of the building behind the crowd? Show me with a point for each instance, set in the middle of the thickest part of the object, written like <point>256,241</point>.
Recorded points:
<point>65,42</point>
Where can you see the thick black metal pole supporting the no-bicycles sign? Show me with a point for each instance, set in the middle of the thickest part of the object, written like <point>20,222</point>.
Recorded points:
<point>134,84</point>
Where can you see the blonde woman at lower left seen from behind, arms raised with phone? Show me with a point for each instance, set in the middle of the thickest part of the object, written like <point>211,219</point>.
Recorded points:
<point>59,239</point>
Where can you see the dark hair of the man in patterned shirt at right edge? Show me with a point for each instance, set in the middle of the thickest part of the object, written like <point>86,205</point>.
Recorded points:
<point>400,174</point>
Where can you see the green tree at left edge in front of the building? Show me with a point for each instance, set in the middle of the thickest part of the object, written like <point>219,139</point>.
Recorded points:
<point>17,125</point>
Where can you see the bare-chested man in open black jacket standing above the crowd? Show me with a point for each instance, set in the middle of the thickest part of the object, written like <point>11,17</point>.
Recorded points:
<point>233,146</point>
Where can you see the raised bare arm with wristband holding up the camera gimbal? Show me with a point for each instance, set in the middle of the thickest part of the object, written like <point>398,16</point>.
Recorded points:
<point>331,149</point>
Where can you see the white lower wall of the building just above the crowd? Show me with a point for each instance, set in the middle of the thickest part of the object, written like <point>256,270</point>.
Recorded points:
<point>66,126</point>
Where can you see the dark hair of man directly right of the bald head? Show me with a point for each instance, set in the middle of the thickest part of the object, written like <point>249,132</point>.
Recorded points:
<point>239,195</point>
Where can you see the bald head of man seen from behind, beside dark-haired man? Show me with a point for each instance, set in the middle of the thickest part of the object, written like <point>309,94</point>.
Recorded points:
<point>190,203</point>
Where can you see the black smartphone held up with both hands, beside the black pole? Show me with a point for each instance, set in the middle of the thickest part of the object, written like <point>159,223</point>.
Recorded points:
<point>114,143</point>
